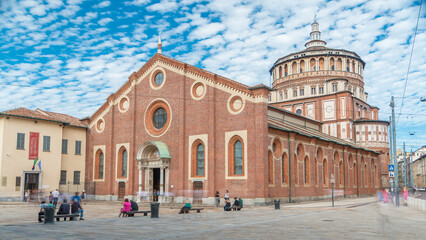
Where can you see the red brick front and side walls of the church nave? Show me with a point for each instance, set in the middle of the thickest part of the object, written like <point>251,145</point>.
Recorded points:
<point>203,107</point>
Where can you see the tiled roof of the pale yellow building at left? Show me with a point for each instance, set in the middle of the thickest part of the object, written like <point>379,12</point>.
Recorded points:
<point>39,114</point>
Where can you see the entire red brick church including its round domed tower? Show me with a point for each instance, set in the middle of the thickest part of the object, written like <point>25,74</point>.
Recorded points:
<point>185,133</point>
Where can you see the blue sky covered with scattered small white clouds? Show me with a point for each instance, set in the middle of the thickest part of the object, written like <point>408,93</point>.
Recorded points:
<point>69,56</point>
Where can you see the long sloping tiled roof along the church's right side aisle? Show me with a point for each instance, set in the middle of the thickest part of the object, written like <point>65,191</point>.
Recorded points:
<point>288,127</point>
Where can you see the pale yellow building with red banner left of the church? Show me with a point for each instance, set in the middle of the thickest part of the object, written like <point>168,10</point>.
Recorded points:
<point>54,142</point>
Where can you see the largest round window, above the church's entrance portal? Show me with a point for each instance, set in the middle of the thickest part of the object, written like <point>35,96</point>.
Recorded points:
<point>157,117</point>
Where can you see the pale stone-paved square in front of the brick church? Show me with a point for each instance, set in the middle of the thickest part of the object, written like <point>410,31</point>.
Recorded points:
<point>349,219</point>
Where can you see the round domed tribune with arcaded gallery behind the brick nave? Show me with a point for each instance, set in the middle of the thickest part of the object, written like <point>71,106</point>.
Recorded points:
<point>327,85</point>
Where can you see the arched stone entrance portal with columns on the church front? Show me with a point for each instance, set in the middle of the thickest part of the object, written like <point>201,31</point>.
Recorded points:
<point>153,154</point>
